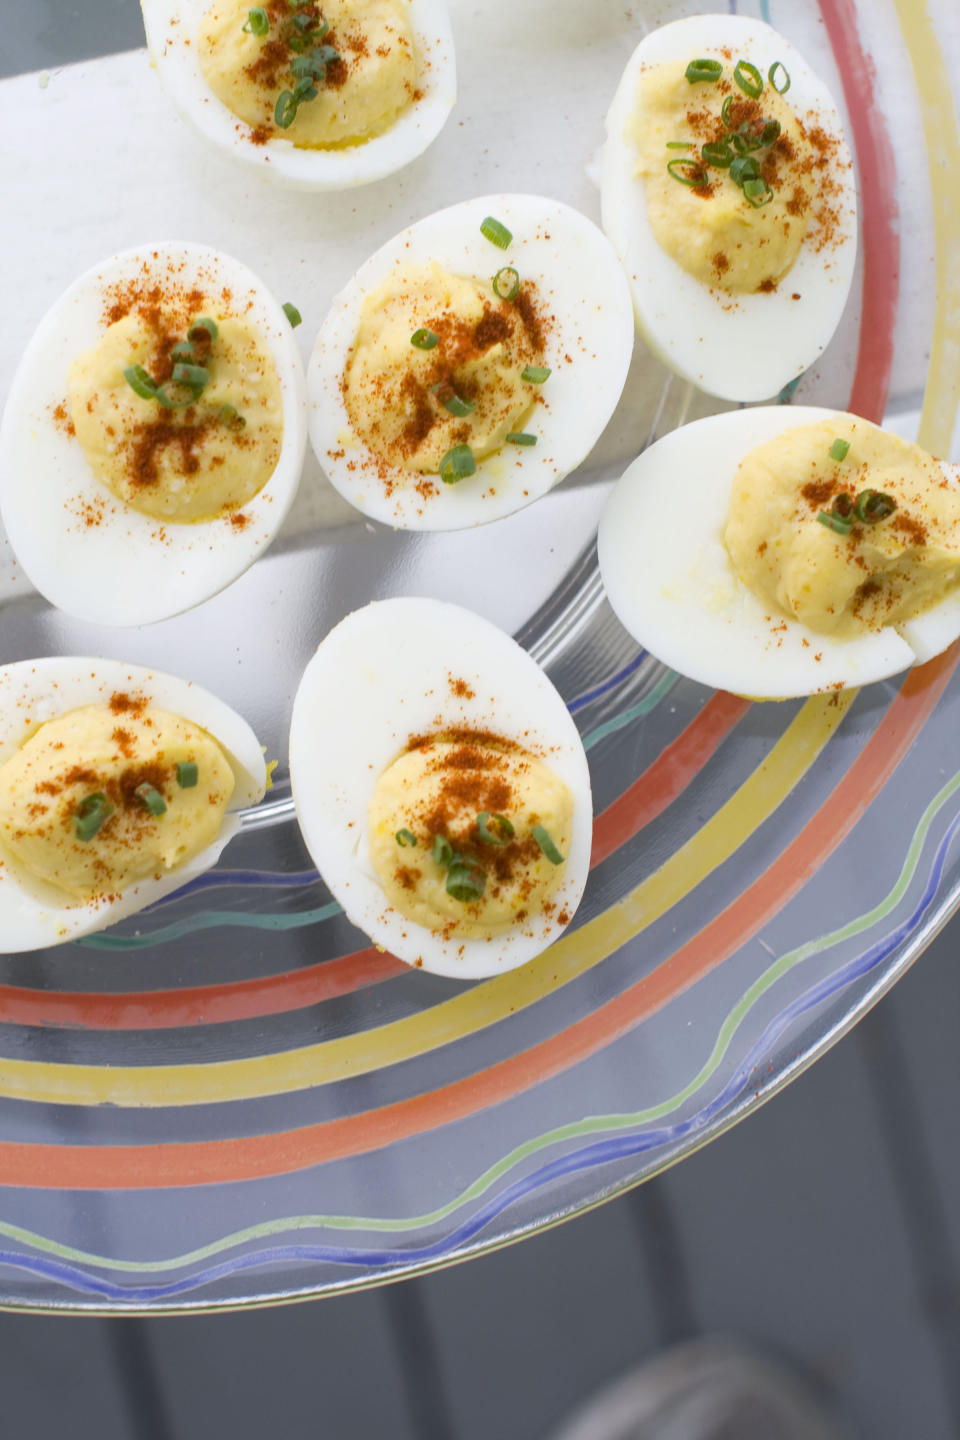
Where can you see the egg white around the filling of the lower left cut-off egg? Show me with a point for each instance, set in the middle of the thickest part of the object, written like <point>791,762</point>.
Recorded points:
<point>35,915</point>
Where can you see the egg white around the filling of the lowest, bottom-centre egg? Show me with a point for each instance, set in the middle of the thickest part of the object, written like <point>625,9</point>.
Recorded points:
<point>407,669</point>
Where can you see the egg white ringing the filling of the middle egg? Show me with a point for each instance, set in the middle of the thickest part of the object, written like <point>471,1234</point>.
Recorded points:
<point>588,351</point>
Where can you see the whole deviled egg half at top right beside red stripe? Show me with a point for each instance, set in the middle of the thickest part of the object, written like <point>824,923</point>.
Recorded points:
<point>729,194</point>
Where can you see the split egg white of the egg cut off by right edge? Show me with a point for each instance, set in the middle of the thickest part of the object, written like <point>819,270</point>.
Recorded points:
<point>671,582</point>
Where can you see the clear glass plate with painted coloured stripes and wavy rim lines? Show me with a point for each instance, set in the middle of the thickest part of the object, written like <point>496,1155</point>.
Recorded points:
<point>232,1098</point>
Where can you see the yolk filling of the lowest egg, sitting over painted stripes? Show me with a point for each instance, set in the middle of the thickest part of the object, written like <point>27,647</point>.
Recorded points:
<point>454,827</point>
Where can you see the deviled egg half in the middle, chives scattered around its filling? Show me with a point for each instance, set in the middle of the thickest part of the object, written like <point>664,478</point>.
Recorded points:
<point>471,364</point>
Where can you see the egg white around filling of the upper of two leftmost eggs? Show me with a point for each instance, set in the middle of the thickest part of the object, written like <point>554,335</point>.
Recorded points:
<point>86,549</point>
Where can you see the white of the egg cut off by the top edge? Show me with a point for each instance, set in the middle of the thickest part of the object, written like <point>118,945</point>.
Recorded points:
<point>172,31</point>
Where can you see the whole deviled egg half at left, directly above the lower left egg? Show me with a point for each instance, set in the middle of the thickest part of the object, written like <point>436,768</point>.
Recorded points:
<point>155,436</point>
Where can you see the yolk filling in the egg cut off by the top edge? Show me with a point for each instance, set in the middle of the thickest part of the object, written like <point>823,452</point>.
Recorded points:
<point>358,57</point>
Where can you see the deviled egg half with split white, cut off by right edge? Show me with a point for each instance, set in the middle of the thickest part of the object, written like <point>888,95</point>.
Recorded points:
<point>785,551</point>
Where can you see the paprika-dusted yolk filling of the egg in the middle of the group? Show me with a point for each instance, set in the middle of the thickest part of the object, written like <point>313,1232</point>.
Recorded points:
<point>412,405</point>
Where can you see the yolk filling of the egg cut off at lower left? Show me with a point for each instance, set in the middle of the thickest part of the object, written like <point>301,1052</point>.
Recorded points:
<point>112,794</point>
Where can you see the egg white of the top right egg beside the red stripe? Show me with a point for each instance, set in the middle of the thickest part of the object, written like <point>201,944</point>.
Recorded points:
<point>738,348</point>
